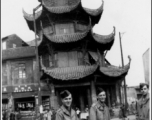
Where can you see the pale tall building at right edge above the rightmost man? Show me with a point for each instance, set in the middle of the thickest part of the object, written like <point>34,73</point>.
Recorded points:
<point>146,65</point>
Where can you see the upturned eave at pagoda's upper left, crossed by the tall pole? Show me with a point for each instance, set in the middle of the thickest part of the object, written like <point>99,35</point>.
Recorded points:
<point>30,17</point>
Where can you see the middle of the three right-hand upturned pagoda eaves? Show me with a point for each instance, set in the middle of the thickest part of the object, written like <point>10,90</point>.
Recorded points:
<point>104,39</point>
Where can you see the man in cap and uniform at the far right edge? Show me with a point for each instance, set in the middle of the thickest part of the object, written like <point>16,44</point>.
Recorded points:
<point>143,103</point>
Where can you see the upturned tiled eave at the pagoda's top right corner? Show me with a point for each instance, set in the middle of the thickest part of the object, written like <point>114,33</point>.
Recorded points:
<point>94,12</point>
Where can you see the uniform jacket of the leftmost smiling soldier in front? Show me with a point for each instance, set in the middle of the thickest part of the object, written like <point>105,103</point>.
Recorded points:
<point>64,114</point>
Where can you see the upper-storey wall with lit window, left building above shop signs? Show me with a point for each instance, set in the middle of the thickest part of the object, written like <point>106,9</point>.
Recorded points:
<point>13,75</point>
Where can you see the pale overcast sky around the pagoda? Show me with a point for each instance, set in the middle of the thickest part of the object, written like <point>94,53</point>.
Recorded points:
<point>131,17</point>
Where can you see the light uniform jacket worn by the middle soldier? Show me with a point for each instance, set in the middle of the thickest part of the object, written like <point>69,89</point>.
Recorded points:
<point>99,111</point>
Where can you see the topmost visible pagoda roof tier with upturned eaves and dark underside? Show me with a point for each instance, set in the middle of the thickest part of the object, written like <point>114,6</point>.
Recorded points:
<point>72,9</point>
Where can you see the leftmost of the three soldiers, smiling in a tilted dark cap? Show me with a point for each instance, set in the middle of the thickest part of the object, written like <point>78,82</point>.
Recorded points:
<point>65,112</point>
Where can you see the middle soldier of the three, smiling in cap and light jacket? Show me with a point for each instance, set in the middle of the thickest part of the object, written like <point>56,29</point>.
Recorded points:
<point>99,110</point>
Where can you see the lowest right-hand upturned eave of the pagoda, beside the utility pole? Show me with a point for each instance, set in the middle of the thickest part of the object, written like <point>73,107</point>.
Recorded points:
<point>113,71</point>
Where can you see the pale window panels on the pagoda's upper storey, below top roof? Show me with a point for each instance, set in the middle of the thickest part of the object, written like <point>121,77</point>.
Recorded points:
<point>64,28</point>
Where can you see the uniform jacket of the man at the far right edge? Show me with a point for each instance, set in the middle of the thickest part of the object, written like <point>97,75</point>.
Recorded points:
<point>143,108</point>
